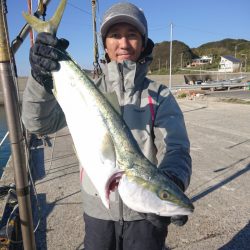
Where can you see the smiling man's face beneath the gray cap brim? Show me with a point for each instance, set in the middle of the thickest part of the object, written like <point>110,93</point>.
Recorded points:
<point>123,42</point>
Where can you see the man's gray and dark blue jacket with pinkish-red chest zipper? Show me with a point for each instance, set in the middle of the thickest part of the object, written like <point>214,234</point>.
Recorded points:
<point>150,111</point>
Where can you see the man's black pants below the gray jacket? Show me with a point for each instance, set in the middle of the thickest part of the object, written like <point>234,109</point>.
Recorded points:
<point>132,235</point>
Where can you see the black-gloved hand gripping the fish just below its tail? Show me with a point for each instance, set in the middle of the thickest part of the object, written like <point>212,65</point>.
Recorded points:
<point>44,58</point>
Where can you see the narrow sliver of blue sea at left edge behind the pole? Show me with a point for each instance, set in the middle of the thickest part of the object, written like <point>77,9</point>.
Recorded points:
<point>5,147</point>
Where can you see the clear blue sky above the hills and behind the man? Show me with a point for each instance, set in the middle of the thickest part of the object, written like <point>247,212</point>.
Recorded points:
<point>195,22</point>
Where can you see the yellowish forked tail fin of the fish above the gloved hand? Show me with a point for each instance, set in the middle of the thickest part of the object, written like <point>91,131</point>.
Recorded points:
<point>50,26</point>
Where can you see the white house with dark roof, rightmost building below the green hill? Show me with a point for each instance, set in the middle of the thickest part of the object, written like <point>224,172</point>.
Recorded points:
<point>229,64</point>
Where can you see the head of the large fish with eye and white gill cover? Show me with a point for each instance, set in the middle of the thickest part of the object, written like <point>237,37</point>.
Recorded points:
<point>156,194</point>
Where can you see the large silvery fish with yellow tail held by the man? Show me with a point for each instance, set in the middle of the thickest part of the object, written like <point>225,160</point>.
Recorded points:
<point>103,142</point>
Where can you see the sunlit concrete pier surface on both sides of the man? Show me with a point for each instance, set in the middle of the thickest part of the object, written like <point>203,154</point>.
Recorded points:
<point>220,146</point>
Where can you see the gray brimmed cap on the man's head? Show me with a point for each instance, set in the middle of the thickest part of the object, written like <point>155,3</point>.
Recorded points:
<point>125,13</point>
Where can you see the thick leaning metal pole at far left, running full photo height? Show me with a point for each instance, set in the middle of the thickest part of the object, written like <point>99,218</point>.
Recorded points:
<point>15,134</point>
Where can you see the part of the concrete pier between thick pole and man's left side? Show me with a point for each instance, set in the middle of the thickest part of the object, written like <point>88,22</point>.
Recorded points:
<point>58,188</point>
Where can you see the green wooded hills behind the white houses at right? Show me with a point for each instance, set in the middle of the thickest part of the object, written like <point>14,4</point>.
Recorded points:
<point>183,54</point>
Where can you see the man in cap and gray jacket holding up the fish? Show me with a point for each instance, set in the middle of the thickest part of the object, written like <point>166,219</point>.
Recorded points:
<point>148,108</point>
